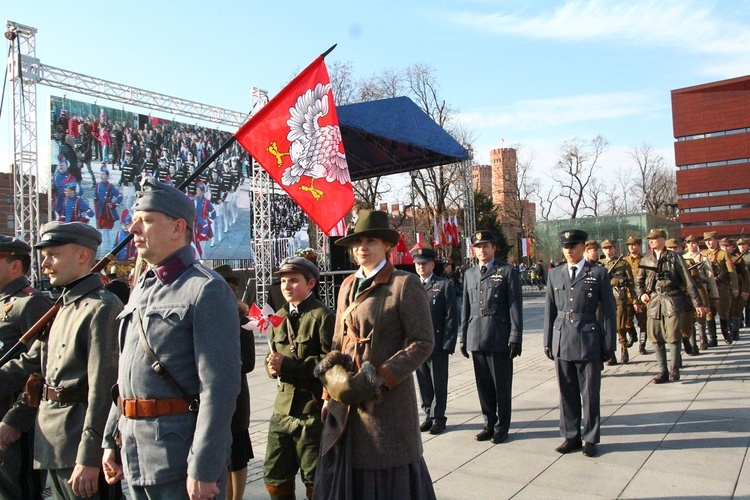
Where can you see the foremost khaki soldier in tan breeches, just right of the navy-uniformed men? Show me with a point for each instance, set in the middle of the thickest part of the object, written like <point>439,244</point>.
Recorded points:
<point>659,283</point>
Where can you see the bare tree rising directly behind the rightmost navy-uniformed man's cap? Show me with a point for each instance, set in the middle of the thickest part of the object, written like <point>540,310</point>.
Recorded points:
<point>575,169</point>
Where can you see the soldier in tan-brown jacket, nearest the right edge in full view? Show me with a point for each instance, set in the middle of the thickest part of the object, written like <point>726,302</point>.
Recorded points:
<point>726,280</point>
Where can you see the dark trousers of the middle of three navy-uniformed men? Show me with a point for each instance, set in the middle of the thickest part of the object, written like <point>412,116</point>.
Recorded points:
<point>493,372</point>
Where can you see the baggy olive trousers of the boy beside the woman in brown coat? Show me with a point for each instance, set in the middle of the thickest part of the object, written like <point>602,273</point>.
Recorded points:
<point>293,444</point>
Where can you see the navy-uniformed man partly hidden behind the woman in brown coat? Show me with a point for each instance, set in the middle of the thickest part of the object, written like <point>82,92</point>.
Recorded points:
<point>432,375</point>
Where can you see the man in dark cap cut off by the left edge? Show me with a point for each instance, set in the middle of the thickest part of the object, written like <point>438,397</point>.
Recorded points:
<point>20,307</point>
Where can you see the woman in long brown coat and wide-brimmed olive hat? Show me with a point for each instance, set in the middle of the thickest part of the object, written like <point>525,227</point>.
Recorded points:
<point>371,446</point>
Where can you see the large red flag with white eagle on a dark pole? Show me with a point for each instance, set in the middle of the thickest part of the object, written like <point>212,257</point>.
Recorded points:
<point>297,140</point>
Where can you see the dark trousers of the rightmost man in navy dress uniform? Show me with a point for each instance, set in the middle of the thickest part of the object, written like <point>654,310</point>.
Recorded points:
<point>579,382</point>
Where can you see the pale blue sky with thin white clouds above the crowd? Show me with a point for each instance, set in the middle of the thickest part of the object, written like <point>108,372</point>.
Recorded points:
<point>531,73</point>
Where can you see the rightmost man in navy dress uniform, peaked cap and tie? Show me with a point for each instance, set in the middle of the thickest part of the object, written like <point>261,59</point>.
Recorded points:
<point>577,341</point>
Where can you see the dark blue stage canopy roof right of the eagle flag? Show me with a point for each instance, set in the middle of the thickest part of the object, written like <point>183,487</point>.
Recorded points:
<point>391,136</point>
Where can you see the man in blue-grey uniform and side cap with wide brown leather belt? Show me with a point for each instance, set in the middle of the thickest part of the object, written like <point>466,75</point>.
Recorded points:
<point>182,319</point>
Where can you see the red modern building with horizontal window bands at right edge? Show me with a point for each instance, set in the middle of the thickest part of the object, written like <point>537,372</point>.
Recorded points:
<point>712,153</point>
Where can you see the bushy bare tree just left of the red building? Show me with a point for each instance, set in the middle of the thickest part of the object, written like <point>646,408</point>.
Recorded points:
<point>656,183</point>
